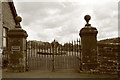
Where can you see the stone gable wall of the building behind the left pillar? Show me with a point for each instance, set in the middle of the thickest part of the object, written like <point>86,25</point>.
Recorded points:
<point>6,18</point>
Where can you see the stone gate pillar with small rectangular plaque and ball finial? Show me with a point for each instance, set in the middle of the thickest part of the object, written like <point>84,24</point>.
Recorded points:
<point>17,48</point>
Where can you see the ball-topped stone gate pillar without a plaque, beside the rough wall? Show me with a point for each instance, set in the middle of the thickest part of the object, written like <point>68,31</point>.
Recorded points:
<point>89,46</point>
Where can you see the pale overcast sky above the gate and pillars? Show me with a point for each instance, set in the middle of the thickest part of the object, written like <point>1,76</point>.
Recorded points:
<point>62,19</point>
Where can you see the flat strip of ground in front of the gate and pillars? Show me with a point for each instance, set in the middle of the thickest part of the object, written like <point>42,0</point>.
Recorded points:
<point>56,74</point>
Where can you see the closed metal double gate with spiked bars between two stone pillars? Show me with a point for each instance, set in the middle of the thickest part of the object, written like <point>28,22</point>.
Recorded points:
<point>53,56</point>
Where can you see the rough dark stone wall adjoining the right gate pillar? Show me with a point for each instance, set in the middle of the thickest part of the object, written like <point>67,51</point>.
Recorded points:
<point>107,57</point>
